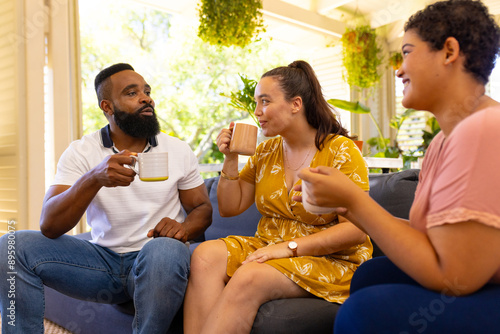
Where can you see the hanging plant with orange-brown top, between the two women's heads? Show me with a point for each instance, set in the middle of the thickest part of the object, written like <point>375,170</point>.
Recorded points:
<point>361,56</point>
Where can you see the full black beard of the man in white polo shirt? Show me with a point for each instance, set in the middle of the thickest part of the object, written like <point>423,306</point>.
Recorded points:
<point>136,125</point>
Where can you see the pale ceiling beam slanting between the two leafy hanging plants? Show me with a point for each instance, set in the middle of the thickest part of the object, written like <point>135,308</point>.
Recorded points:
<point>304,18</point>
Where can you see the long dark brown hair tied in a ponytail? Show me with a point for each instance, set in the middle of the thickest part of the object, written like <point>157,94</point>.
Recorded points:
<point>299,79</point>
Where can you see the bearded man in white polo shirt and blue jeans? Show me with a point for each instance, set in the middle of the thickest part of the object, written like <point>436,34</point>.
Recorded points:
<point>139,229</point>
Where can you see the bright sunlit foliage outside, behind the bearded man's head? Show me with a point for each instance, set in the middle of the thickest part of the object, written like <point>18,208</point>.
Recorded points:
<point>190,79</point>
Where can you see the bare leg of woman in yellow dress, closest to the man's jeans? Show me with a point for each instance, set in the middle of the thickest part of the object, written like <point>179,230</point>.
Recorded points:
<point>207,280</point>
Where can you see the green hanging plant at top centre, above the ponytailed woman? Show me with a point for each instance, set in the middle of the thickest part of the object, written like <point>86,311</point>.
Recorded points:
<point>230,22</point>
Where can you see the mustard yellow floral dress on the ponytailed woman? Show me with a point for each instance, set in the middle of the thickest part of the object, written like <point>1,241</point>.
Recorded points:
<point>283,219</point>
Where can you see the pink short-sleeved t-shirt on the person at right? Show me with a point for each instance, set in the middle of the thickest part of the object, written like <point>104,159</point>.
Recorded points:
<point>460,176</point>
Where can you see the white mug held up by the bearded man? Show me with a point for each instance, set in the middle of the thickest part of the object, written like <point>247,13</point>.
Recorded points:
<point>151,166</point>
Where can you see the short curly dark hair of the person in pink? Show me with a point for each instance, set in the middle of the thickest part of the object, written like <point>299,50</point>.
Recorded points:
<point>470,23</point>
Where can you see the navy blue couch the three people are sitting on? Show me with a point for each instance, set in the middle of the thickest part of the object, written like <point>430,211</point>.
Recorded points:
<point>393,191</point>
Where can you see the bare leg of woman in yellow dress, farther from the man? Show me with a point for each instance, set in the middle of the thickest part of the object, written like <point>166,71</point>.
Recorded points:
<point>252,285</point>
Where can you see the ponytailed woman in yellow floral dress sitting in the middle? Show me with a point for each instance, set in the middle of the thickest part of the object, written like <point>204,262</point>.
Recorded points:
<point>294,253</point>
